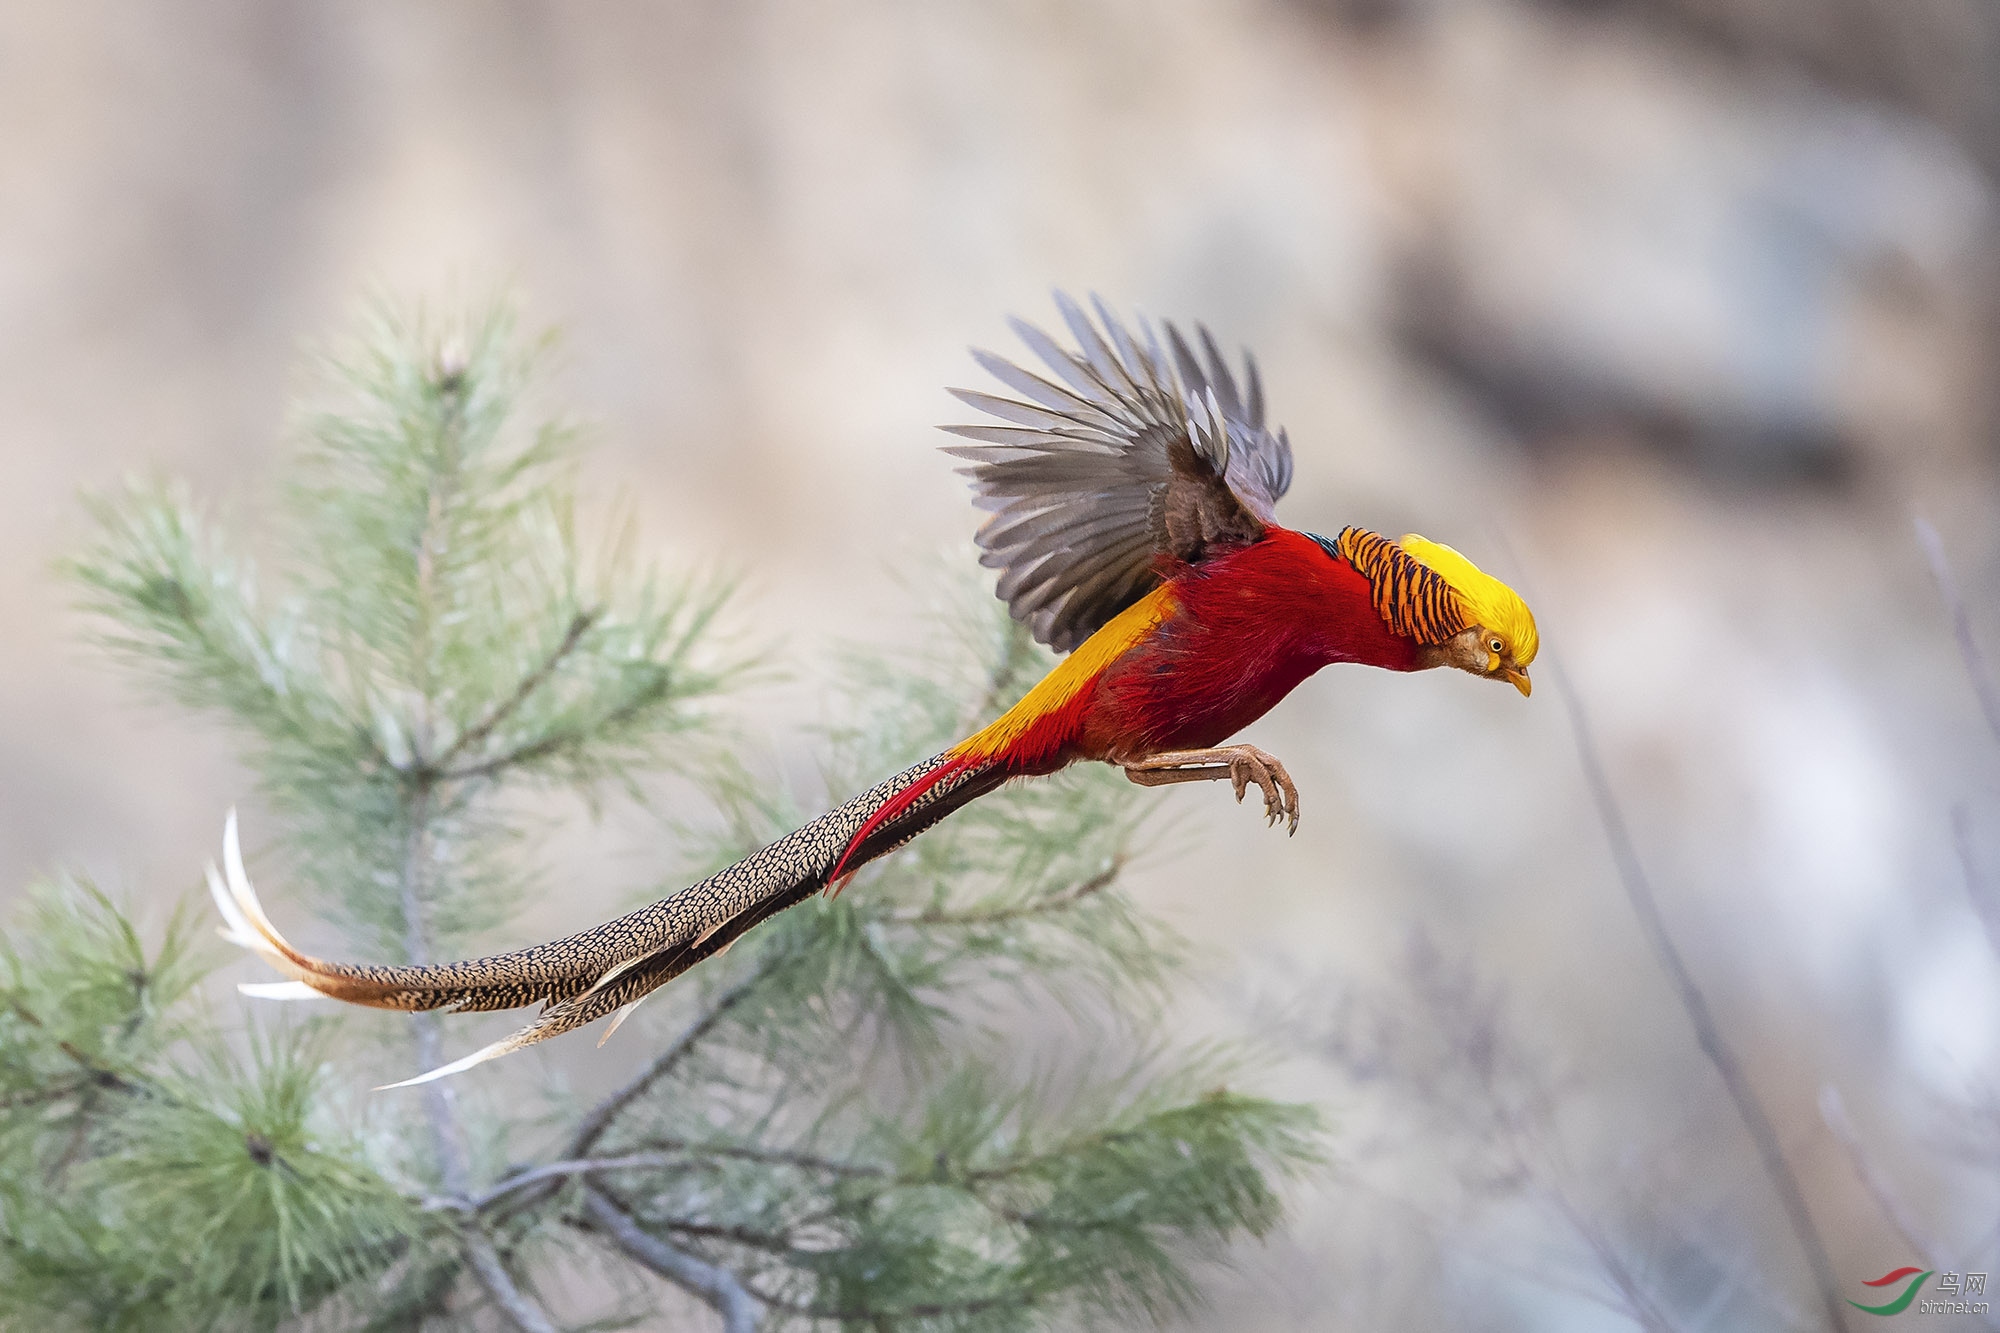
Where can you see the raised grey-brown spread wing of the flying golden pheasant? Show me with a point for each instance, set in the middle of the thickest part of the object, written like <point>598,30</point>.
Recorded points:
<point>1133,455</point>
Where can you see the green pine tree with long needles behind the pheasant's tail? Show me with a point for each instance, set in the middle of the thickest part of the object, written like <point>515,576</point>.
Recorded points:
<point>829,1128</point>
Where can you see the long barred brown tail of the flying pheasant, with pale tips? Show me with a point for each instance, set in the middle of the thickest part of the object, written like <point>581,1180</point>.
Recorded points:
<point>613,968</point>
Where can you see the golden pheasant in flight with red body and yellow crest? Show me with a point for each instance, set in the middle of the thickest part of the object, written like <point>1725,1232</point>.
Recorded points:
<point>1131,495</point>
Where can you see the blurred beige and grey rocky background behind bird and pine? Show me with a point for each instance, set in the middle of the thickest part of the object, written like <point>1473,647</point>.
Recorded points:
<point>1677,313</point>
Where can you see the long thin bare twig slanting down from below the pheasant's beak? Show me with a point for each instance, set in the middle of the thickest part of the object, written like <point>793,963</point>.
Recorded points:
<point>1695,1002</point>
